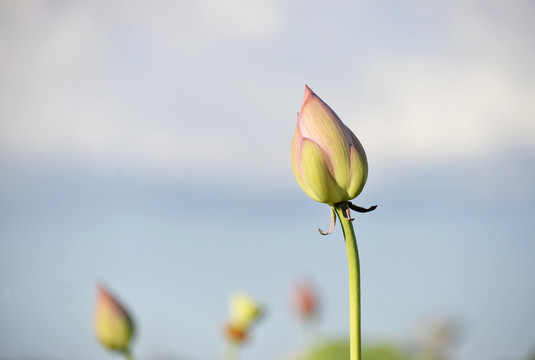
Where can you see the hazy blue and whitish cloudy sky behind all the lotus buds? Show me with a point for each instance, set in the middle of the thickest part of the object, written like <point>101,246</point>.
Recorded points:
<point>146,145</point>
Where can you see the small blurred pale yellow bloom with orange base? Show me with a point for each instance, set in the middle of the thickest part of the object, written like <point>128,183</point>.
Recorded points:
<point>244,311</point>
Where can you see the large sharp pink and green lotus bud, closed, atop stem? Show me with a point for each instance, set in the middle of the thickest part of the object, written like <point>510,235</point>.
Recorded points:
<point>328,160</point>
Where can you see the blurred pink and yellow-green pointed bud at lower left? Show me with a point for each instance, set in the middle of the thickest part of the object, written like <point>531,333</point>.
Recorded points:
<point>113,325</point>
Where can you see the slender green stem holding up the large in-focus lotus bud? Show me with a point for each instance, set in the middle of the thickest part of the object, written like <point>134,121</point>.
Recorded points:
<point>354,284</point>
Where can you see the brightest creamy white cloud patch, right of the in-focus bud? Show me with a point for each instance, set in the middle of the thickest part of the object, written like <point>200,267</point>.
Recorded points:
<point>432,112</point>
